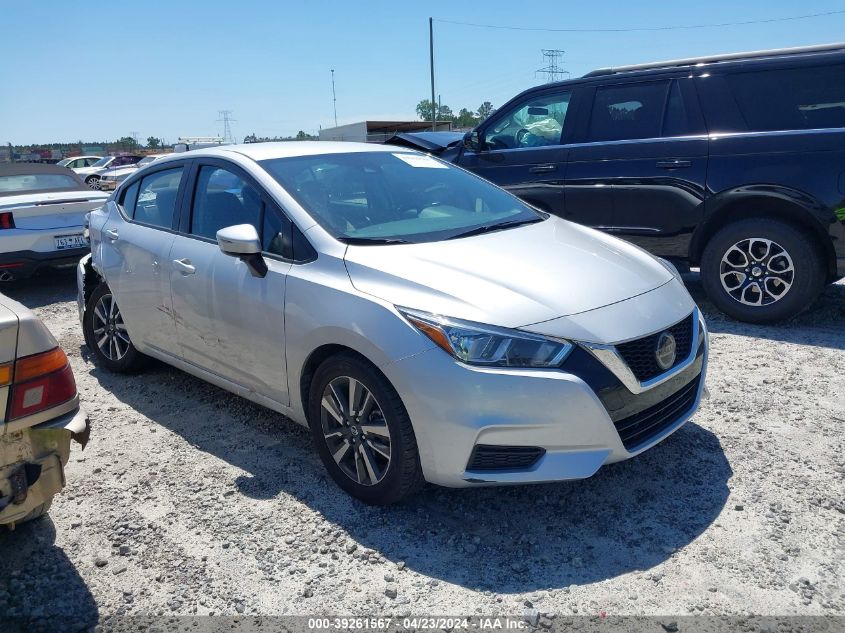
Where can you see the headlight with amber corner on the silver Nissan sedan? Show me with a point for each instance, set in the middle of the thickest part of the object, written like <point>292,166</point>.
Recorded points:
<point>477,344</point>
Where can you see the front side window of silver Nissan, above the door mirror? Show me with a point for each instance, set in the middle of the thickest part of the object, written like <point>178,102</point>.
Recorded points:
<point>222,198</point>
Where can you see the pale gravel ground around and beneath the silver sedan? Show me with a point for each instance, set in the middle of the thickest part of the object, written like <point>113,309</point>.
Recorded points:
<point>189,500</point>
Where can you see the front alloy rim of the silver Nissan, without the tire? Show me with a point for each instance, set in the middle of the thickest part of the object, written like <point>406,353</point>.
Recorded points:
<point>355,430</point>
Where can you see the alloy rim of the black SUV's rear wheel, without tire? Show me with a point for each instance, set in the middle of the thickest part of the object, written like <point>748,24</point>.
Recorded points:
<point>756,271</point>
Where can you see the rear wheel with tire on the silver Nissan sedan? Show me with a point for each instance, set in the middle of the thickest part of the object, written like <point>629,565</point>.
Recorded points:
<point>106,335</point>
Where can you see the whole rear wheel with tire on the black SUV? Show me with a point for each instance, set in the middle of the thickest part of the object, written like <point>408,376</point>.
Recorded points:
<point>762,270</point>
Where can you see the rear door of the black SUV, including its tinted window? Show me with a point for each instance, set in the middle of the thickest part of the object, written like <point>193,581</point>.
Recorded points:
<point>642,165</point>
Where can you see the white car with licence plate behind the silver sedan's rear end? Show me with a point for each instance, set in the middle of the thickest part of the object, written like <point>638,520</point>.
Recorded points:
<point>42,218</point>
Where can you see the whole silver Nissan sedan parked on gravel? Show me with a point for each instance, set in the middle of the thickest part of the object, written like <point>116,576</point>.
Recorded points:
<point>425,324</point>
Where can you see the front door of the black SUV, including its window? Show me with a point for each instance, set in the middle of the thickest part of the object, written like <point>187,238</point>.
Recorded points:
<point>521,150</point>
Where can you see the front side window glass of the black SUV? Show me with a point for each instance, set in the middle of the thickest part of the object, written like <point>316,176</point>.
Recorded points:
<point>532,123</point>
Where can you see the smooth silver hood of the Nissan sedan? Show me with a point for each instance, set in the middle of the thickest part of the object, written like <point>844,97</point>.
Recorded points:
<point>510,278</point>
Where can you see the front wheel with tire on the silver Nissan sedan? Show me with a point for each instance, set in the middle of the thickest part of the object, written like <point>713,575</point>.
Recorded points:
<point>362,431</point>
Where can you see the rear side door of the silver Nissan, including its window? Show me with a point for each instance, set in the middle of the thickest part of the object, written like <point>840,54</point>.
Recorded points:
<point>136,255</point>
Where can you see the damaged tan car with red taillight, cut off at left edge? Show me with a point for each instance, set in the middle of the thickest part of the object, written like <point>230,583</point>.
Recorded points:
<point>41,415</point>
